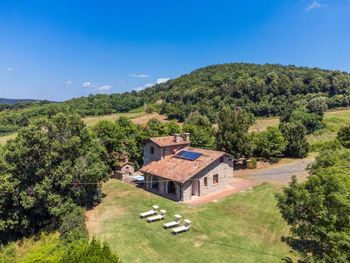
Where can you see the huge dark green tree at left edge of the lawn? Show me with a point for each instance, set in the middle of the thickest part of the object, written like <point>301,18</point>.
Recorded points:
<point>49,166</point>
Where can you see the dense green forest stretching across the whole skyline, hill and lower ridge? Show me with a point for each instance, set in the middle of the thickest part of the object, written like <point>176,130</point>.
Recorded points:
<point>264,90</point>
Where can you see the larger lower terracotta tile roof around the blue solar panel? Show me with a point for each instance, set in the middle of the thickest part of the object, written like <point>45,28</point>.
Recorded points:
<point>181,170</point>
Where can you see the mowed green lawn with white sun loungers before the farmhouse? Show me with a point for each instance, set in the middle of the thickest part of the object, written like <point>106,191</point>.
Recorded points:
<point>245,227</point>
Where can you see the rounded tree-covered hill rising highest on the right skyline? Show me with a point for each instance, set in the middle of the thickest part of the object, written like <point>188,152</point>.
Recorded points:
<point>265,90</point>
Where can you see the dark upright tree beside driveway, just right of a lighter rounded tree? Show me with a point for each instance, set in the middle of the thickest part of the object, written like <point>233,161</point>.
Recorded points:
<point>295,135</point>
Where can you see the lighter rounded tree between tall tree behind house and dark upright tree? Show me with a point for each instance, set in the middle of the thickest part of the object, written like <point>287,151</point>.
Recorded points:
<point>270,143</point>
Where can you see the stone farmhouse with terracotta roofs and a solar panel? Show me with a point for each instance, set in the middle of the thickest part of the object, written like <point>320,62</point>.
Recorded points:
<point>174,169</point>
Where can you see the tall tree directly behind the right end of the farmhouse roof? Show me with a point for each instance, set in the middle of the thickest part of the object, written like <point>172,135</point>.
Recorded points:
<point>232,134</point>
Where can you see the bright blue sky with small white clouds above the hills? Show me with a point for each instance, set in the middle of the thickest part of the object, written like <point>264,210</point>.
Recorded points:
<point>62,49</point>
